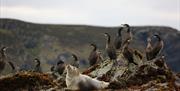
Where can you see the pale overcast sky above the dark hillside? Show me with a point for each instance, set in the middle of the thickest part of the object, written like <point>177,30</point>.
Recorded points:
<point>94,12</point>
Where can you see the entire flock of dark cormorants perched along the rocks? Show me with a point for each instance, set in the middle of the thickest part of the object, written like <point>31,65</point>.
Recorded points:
<point>95,56</point>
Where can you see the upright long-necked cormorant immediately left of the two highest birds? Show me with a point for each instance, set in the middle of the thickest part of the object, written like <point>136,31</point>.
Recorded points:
<point>111,51</point>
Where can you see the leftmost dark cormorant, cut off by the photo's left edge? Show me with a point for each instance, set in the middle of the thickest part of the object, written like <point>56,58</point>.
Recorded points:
<point>2,58</point>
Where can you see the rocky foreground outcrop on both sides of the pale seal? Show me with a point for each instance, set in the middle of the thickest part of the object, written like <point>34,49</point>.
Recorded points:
<point>147,75</point>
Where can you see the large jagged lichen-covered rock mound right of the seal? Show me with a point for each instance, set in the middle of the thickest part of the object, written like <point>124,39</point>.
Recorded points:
<point>123,75</point>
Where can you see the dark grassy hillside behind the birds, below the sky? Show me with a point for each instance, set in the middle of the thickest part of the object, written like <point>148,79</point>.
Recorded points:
<point>50,42</point>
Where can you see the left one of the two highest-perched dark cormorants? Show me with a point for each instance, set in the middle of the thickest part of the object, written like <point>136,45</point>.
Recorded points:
<point>118,39</point>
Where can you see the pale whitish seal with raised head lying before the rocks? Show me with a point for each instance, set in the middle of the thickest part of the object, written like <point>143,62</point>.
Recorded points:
<point>77,81</point>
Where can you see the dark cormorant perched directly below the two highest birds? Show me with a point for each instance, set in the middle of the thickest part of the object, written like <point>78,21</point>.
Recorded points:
<point>128,53</point>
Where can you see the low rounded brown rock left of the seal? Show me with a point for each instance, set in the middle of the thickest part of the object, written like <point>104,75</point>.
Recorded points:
<point>26,81</point>
